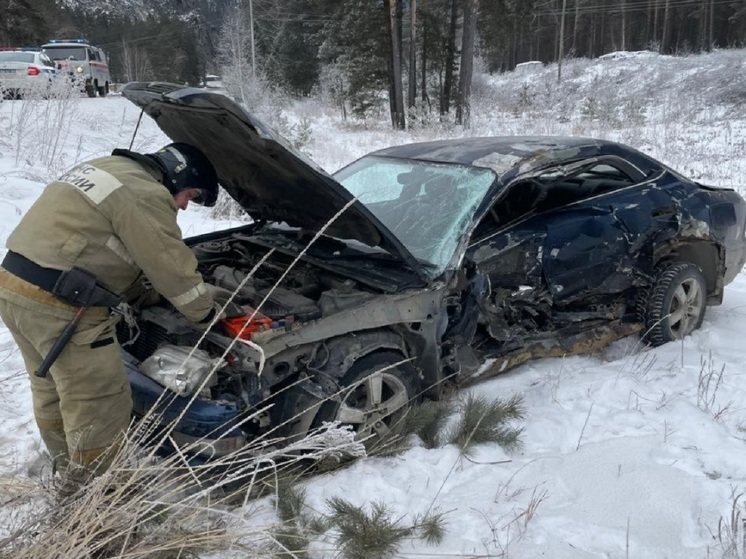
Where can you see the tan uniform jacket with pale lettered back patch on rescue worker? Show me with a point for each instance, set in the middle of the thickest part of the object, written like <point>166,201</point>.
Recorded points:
<point>112,217</point>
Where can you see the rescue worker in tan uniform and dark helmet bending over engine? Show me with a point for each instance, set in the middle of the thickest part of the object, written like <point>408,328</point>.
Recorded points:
<point>115,218</point>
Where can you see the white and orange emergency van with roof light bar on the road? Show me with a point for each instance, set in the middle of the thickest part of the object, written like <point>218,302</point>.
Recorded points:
<point>83,64</point>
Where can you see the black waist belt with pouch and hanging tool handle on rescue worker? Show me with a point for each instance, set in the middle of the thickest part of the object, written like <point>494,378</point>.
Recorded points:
<point>75,287</point>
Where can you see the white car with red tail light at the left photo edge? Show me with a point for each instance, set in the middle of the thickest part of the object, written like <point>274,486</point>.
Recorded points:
<point>25,72</point>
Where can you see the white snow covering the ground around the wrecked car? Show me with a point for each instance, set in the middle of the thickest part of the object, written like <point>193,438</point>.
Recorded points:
<point>632,452</point>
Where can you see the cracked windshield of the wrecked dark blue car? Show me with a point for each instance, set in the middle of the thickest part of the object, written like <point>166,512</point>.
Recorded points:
<point>426,205</point>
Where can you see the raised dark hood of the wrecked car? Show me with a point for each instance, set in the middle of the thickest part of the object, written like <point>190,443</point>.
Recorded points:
<point>257,167</point>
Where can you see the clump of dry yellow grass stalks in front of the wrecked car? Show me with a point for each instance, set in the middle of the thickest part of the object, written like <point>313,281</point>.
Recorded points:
<point>145,508</point>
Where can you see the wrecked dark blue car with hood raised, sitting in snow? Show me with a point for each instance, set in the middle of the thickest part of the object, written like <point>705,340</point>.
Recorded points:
<point>435,257</point>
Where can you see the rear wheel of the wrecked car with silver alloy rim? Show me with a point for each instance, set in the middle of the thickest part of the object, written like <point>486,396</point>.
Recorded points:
<point>675,304</point>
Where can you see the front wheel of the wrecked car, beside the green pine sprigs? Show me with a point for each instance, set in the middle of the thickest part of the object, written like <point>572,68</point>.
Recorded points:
<point>376,393</point>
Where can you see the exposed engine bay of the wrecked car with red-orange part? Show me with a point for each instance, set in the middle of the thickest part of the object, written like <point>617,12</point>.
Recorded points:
<point>227,364</point>
